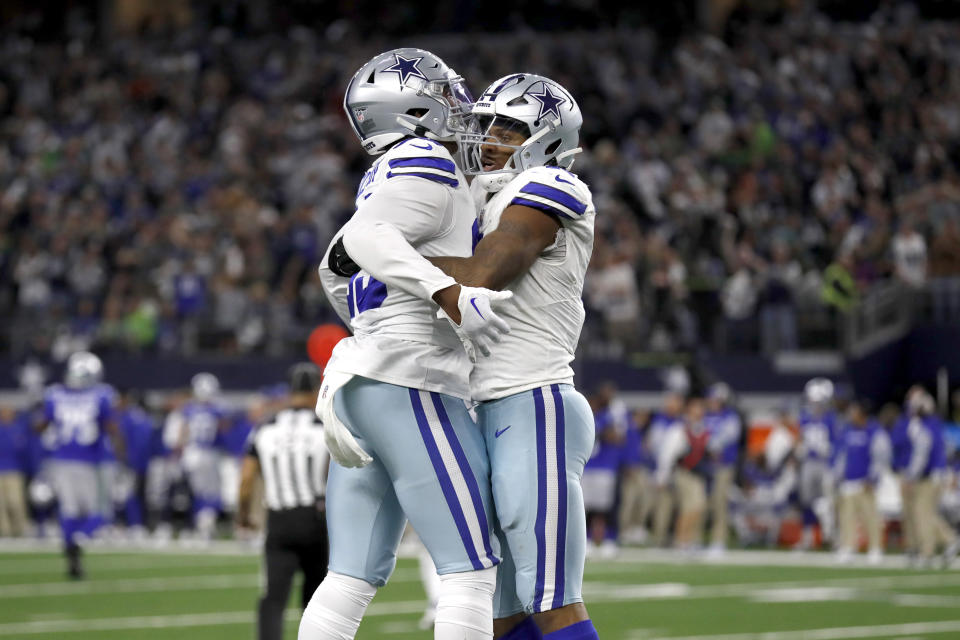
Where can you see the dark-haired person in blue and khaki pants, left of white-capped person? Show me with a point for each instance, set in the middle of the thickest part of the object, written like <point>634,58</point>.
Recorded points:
<point>863,452</point>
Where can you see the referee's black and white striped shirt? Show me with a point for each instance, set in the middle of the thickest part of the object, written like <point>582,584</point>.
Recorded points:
<point>293,459</point>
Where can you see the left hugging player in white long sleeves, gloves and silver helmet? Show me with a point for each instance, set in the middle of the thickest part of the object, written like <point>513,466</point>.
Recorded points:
<point>393,395</point>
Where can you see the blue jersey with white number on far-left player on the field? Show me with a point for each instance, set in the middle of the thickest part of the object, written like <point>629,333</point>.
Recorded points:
<point>77,418</point>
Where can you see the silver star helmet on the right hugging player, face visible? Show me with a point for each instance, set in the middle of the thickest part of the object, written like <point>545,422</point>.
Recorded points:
<point>534,106</point>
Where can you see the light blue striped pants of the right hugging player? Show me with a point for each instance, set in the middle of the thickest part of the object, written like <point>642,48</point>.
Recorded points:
<point>538,442</point>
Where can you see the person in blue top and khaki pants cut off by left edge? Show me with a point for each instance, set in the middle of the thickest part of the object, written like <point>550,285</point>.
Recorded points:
<point>13,506</point>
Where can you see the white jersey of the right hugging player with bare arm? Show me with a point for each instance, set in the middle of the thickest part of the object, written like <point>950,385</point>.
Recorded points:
<point>546,312</point>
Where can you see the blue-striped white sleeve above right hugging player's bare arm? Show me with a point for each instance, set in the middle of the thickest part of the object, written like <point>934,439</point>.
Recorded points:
<point>556,192</point>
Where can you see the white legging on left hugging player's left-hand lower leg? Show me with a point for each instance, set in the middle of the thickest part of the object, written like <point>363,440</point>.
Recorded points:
<point>336,608</point>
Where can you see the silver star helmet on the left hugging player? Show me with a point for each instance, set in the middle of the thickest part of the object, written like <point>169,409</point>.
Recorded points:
<point>406,92</point>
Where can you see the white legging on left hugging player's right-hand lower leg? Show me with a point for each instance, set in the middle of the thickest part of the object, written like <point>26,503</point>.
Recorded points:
<point>466,602</point>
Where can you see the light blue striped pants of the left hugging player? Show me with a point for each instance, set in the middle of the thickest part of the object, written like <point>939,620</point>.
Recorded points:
<point>430,466</point>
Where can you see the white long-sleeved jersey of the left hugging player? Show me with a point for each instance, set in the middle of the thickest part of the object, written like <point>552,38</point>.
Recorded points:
<point>413,196</point>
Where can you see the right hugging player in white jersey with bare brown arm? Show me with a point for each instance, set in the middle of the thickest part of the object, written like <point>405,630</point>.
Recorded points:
<point>537,223</point>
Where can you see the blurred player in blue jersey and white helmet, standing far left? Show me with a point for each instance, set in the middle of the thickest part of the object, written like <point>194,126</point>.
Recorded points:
<point>78,414</point>
